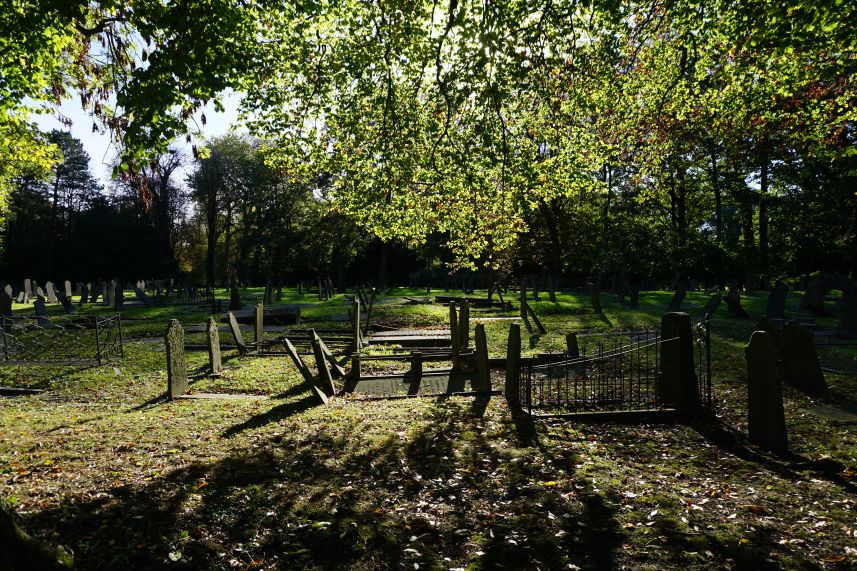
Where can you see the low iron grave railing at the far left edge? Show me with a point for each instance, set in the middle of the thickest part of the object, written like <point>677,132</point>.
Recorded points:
<point>63,341</point>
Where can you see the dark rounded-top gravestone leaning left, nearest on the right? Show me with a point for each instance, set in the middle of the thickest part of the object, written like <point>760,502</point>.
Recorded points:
<point>766,420</point>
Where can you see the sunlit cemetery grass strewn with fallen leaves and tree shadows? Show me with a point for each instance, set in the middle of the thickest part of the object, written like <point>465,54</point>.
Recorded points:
<point>101,464</point>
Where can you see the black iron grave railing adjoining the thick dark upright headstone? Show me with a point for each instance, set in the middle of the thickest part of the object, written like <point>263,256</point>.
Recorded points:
<point>616,372</point>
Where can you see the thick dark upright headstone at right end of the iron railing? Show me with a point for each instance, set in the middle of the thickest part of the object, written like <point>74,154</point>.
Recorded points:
<point>677,383</point>
